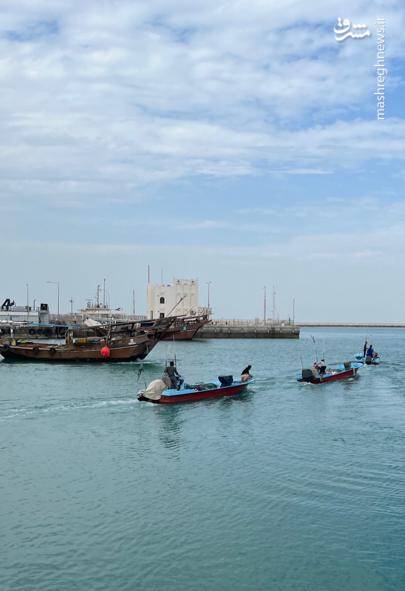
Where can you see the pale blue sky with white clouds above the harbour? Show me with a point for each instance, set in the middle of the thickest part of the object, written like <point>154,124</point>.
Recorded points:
<point>235,141</point>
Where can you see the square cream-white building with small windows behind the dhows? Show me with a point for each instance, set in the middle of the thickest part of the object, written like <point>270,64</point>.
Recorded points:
<point>179,298</point>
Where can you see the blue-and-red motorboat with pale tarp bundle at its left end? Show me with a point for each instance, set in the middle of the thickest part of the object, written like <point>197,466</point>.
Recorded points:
<point>158,392</point>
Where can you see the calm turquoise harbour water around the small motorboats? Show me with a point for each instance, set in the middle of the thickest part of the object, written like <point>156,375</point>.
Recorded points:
<point>288,487</point>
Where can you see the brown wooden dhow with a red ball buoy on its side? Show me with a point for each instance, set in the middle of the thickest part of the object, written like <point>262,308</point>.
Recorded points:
<point>117,343</point>
